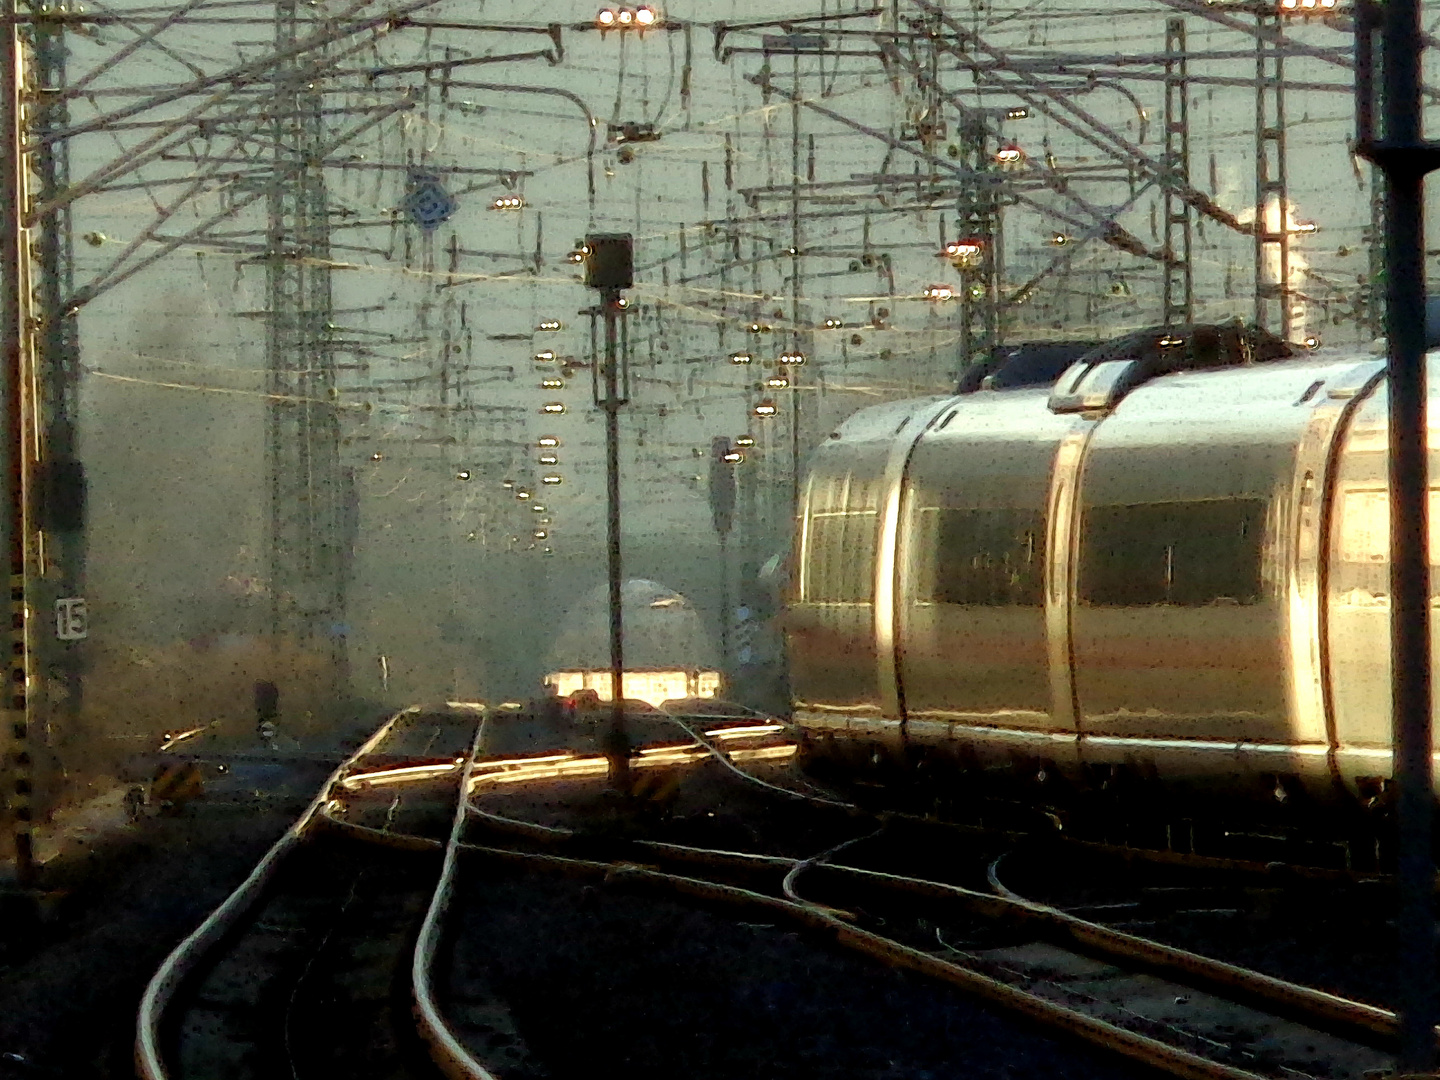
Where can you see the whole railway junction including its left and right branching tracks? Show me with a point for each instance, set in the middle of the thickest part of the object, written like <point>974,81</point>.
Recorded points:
<point>349,940</point>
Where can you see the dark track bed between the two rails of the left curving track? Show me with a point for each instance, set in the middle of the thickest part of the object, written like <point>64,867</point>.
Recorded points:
<point>318,983</point>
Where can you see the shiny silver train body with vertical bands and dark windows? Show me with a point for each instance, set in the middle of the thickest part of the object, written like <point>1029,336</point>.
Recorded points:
<point>1183,577</point>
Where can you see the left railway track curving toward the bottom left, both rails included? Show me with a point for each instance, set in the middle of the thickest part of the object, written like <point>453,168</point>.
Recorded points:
<point>309,968</point>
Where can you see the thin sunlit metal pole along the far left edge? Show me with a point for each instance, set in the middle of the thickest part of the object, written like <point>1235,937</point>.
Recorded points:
<point>14,309</point>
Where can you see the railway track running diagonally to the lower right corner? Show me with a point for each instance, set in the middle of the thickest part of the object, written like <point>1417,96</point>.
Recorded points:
<point>1167,1007</point>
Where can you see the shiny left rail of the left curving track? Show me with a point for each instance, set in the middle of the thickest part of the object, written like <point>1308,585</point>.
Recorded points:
<point>188,955</point>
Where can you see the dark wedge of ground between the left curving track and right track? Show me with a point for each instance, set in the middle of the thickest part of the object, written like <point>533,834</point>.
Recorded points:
<point>603,981</point>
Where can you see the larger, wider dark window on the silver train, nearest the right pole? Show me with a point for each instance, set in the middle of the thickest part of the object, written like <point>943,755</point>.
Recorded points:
<point>1182,554</point>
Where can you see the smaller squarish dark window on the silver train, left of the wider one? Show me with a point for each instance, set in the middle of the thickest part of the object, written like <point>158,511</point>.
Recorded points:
<point>989,557</point>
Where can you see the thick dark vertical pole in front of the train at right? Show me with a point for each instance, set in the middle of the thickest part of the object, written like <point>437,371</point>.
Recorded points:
<point>1406,165</point>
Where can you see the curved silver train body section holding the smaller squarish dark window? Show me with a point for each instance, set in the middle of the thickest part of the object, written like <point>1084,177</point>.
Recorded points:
<point>971,616</point>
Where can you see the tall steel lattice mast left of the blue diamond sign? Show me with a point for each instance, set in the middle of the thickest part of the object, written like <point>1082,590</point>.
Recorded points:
<point>310,508</point>
